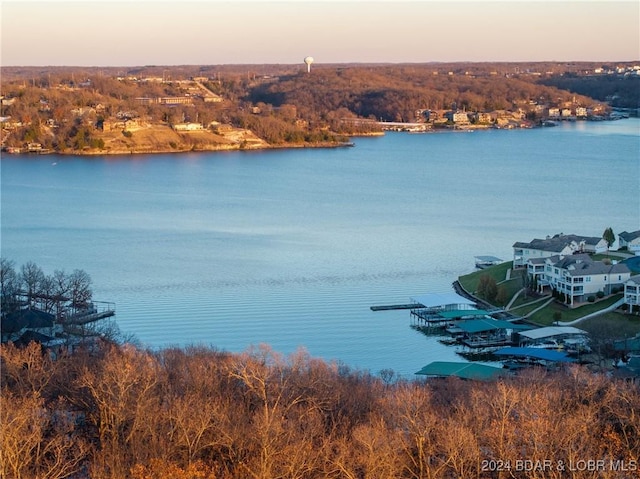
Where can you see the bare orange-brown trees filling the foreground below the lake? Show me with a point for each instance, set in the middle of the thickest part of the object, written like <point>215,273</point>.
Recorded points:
<point>119,411</point>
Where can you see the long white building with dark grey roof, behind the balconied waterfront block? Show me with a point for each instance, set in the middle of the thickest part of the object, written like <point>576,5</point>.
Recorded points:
<point>559,244</point>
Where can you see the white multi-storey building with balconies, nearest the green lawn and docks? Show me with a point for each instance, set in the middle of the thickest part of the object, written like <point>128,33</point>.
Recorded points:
<point>577,276</point>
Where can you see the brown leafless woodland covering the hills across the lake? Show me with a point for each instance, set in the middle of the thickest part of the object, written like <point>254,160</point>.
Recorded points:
<point>65,110</point>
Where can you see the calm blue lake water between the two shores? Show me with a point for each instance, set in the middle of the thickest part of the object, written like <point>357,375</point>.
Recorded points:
<point>292,247</point>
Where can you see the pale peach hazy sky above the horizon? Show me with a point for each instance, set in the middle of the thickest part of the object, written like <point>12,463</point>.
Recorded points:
<point>217,32</point>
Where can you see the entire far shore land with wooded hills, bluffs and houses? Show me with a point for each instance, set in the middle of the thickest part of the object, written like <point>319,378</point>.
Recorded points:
<point>89,111</point>
